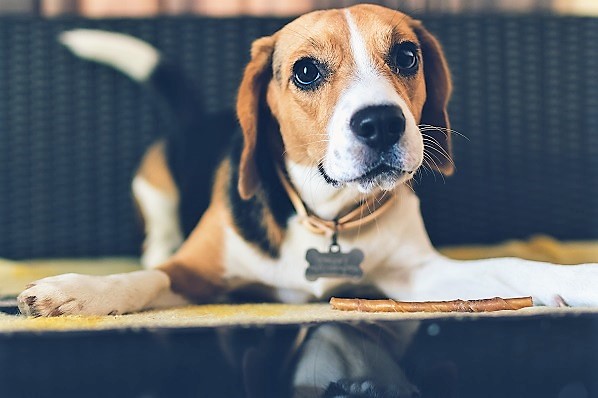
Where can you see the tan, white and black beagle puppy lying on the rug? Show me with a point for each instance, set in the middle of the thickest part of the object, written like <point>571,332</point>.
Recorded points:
<point>337,111</point>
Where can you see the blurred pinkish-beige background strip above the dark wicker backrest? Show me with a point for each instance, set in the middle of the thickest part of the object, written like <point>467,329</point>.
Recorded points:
<point>146,8</point>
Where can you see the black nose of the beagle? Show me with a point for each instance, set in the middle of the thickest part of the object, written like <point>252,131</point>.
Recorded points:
<point>379,126</point>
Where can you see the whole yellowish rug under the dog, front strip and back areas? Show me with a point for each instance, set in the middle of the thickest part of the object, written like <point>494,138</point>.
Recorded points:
<point>15,275</point>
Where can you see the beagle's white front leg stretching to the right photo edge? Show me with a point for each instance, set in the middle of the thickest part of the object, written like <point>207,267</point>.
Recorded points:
<point>444,279</point>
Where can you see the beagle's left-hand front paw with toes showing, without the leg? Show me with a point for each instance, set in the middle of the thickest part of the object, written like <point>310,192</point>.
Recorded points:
<point>68,294</point>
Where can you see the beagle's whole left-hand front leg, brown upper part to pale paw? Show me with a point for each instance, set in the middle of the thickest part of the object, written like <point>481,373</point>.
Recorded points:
<point>189,273</point>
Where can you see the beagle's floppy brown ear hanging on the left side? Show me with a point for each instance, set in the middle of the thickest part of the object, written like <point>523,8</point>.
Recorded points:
<point>257,74</point>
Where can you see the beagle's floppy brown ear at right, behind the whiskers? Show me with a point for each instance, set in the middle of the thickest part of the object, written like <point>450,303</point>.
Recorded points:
<point>438,91</point>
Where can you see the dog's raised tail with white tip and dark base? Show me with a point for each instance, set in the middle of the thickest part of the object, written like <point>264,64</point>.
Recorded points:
<point>141,62</point>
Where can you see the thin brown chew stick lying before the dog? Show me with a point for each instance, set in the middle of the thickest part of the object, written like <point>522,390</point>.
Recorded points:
<point>485,305</point>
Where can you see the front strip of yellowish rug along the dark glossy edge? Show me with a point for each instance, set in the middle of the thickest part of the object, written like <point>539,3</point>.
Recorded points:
<point>196,316</point>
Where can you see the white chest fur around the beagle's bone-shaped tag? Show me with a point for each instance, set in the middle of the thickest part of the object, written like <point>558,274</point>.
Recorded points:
<point>245,264</point>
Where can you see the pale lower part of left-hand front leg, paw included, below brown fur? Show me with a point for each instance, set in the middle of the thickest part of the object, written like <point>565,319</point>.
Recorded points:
<point>75,294</point>
